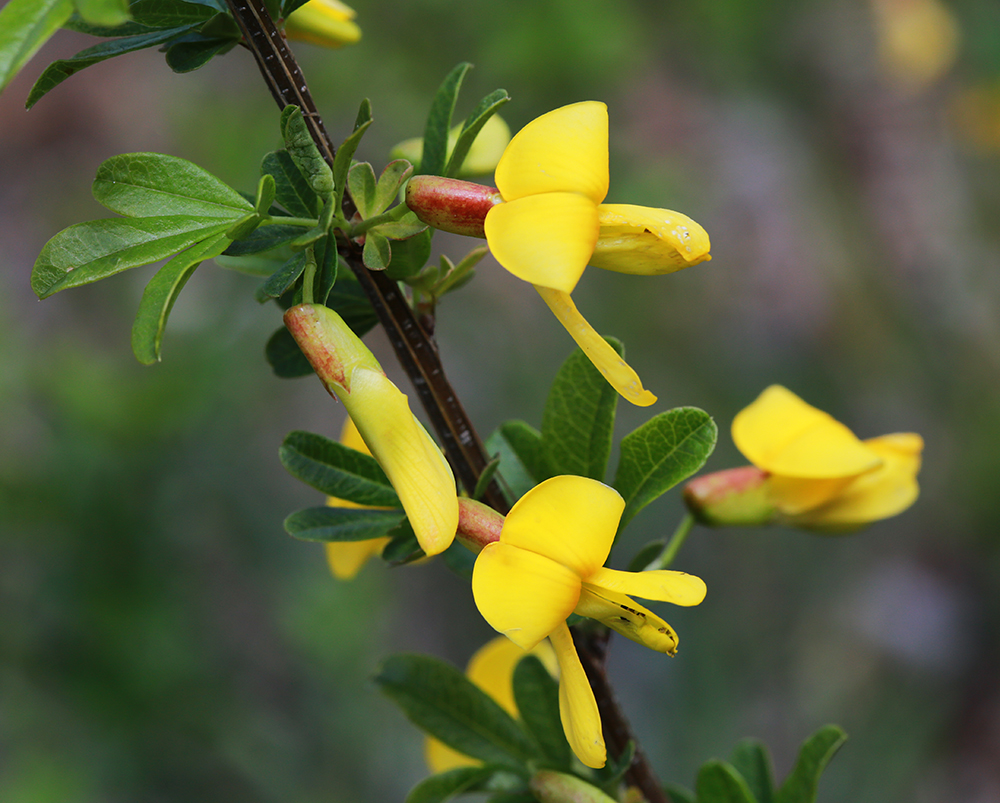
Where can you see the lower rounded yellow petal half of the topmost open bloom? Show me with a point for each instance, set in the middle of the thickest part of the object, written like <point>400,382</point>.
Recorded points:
<point>544,239</point>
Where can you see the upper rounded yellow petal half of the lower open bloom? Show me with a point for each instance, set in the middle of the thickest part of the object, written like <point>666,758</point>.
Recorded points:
<point>568,519</point>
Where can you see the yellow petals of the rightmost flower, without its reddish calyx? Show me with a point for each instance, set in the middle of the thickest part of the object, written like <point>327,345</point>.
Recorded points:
<point>819,473</point>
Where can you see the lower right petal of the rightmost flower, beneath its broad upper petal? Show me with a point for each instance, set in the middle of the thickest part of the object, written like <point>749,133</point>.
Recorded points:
<point>878,494</point>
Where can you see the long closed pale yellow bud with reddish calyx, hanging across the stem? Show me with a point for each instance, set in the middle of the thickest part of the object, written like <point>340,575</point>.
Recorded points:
<point>412,461</point>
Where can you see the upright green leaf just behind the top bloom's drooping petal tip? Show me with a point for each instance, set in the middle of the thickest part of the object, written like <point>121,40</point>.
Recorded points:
<point>579,418</point>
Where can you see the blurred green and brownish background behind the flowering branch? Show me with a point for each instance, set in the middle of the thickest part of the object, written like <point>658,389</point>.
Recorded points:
<point>162,639</point>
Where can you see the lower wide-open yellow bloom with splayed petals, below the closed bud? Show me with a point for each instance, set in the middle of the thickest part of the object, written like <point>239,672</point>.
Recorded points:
<point>548,564</point>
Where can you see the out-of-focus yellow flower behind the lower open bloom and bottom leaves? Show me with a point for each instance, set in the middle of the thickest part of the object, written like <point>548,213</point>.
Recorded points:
<point>491,668</point>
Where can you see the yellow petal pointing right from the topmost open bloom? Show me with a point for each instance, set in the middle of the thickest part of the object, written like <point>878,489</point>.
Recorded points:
<point>641,240</point>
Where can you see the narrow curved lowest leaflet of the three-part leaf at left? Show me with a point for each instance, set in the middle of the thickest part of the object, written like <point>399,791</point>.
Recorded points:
<point>160,294</point>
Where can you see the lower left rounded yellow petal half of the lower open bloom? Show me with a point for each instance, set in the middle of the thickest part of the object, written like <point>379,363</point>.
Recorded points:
<point>522,594</point>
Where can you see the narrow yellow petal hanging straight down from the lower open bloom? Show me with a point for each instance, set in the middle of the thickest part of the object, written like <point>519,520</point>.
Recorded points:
<point>577,707</point>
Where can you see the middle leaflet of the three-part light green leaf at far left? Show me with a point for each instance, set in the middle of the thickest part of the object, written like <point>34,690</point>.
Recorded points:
<point>88,252</point>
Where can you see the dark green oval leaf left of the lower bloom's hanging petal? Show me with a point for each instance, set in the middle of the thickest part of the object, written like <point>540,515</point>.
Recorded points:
<point>440,700</point>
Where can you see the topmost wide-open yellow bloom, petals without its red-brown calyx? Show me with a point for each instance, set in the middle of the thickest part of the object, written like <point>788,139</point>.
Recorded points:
<point>553,178</point>
